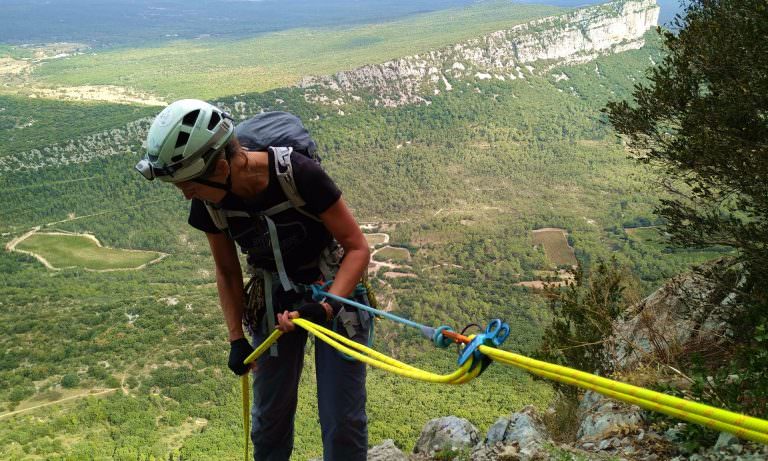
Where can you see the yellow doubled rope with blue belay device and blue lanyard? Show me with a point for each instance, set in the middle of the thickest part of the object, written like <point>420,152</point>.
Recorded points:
<point>478,351</point>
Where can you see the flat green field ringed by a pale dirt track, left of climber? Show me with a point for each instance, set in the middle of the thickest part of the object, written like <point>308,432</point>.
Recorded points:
<point>79,251</point>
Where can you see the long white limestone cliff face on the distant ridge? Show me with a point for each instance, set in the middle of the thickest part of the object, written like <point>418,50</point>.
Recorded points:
<point>504,55</point>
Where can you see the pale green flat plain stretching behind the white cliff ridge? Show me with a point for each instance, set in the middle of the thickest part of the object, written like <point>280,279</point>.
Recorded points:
<point>214,68</point>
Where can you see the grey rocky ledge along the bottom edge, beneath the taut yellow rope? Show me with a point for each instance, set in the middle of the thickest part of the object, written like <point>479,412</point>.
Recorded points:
<point>607,431</point>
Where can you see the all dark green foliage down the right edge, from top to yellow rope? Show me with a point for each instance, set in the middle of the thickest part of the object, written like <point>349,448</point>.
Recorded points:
<point>701,119</point>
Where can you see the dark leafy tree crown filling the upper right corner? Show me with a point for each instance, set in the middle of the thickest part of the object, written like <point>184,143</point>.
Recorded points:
<point>701,118</point>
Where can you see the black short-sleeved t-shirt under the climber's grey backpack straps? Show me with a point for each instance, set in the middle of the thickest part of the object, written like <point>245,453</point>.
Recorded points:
<point>301,238</point>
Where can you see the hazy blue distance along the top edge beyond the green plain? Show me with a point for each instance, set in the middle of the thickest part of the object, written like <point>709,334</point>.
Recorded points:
<point>118,23</point>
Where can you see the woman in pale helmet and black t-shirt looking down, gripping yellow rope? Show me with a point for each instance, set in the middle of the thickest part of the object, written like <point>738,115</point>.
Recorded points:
<point>238,197</point>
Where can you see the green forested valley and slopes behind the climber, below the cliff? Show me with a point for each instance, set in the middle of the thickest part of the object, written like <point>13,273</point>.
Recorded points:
<point>460,182</point>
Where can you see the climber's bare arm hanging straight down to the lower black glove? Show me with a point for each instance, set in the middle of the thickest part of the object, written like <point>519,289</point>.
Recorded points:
<point>229,281</point>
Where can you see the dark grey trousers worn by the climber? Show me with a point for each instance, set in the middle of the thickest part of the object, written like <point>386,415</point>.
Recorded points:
<point>341,398</point>
